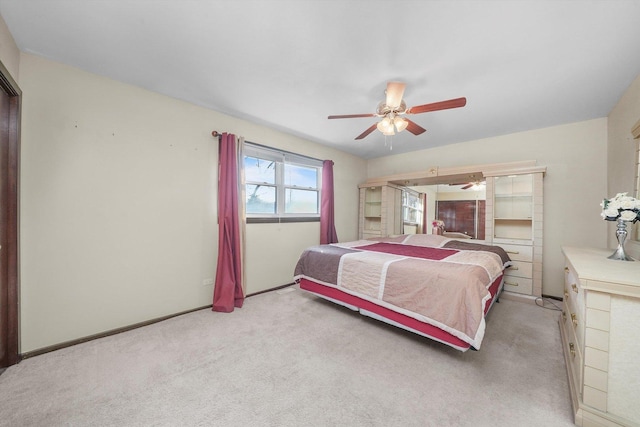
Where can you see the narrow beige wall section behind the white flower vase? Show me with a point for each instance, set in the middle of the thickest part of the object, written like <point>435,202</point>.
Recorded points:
<point>621,153</point>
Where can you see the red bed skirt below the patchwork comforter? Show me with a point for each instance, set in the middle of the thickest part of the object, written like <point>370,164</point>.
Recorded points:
<point>393,317</point>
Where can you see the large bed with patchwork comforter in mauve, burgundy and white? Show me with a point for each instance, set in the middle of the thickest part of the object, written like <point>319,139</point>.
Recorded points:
<point>437,287</point>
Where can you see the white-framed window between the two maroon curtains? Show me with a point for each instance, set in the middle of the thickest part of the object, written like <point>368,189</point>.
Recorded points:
<point>281,185</point>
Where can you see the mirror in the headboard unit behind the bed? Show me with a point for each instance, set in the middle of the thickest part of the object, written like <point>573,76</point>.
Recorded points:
<point>460,206</point>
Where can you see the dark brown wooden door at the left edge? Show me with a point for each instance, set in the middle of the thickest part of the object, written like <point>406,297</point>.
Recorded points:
<point>9,160</point>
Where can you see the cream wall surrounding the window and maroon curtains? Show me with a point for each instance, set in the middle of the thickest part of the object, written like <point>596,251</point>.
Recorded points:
<point>118,220</point>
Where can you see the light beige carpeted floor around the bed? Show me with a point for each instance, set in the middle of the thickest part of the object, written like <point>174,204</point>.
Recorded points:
<point>288,358</point>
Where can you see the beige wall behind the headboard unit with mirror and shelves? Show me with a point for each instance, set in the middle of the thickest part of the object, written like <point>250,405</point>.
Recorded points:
<point>574,185</point>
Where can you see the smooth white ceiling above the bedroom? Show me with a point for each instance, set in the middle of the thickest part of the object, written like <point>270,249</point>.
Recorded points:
<point>288,64</point>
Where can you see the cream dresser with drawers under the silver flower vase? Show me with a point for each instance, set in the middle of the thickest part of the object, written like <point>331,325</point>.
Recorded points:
<point>600,325</point>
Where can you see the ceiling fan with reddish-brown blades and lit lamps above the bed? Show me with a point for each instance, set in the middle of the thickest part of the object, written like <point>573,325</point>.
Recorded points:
<point>393,108</point>
